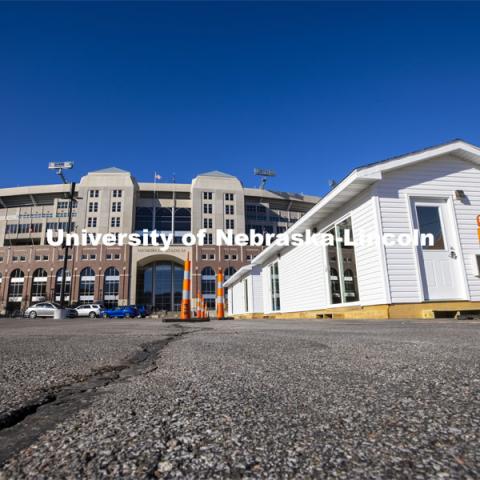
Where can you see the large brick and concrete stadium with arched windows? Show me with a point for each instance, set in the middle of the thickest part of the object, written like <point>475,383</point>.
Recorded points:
<point>111,200</point>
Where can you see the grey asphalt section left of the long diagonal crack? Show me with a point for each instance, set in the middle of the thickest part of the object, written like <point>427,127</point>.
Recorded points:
<point>41,354</point>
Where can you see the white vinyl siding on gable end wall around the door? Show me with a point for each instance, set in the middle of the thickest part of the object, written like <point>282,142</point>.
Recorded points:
<point>436,178</point>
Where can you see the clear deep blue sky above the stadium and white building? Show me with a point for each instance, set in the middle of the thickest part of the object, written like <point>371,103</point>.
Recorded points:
<point>309,89</point>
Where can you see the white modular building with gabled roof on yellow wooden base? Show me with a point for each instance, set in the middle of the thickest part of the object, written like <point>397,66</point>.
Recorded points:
<point>434,192</point>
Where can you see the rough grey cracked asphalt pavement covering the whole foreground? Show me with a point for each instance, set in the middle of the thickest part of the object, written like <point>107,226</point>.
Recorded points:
<point>236,399</point>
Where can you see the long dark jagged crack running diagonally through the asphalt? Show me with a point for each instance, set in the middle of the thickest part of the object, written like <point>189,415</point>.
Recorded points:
<point>23,426</point>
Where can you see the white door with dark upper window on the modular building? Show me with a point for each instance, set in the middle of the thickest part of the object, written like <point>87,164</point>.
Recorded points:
<point>439,263</point>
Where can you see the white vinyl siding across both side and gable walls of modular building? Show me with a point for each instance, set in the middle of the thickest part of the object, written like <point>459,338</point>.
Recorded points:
<point>385,274</point>
